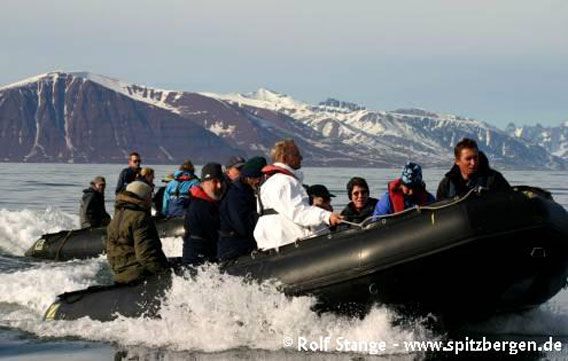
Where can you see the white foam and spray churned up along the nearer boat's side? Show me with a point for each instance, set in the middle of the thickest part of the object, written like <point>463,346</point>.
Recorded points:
<point>211,312</point>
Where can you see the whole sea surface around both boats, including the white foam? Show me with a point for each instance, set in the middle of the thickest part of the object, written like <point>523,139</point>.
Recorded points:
<point>213,316</point>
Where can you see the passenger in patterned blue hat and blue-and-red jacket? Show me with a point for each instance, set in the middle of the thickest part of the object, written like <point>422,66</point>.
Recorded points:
<point>405,192</point>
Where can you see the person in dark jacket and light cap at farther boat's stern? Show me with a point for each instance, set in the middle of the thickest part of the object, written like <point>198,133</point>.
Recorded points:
<point>92,211</point>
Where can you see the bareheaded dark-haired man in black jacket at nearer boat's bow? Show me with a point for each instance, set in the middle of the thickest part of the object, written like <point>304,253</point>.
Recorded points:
<point>469,172</point>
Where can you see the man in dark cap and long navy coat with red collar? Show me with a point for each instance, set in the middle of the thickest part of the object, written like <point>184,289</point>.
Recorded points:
<point>202,217</point>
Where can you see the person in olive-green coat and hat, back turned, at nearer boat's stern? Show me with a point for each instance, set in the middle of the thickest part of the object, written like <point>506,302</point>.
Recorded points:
<point>134,249</point>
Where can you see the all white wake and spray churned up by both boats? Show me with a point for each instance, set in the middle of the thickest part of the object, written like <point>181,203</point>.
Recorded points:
<point>211,312</point>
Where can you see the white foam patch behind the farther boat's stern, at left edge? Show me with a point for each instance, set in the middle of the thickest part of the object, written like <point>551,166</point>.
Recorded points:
<point>20,229</point>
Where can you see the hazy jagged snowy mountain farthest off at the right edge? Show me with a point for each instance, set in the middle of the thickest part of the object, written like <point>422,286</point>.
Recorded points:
<point>553,139</point>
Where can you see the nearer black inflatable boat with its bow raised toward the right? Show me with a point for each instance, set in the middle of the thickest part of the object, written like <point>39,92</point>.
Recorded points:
<point>483,254</point>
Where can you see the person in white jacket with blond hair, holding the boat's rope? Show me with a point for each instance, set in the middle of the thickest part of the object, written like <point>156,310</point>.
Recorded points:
<point>285,213</point>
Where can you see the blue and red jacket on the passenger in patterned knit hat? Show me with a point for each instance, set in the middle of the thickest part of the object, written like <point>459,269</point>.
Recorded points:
<point>394,201</point>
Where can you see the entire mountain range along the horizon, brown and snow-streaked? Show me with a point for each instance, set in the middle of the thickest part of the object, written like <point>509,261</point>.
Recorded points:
<point>84,117</point>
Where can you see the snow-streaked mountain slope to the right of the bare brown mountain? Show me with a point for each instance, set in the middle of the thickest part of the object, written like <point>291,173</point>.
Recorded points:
<point>392,137</point>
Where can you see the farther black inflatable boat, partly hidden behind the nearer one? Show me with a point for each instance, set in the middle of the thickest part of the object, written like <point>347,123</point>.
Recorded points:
<point>89,242</point>
